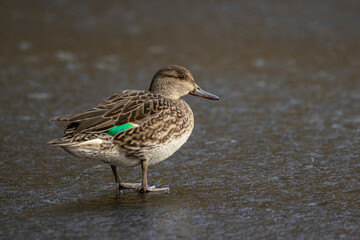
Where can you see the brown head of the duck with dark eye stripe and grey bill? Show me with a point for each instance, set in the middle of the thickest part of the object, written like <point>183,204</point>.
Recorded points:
<point>174,81</point>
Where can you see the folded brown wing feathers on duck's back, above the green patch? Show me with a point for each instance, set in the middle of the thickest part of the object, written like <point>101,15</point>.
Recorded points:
<point>121,108</point>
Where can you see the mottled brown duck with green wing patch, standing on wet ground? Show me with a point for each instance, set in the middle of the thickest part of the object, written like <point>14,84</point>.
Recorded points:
<point>134,128</point>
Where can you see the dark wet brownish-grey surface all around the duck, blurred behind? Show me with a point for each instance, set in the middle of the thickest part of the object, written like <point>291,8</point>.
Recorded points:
<point>276,158</point>
